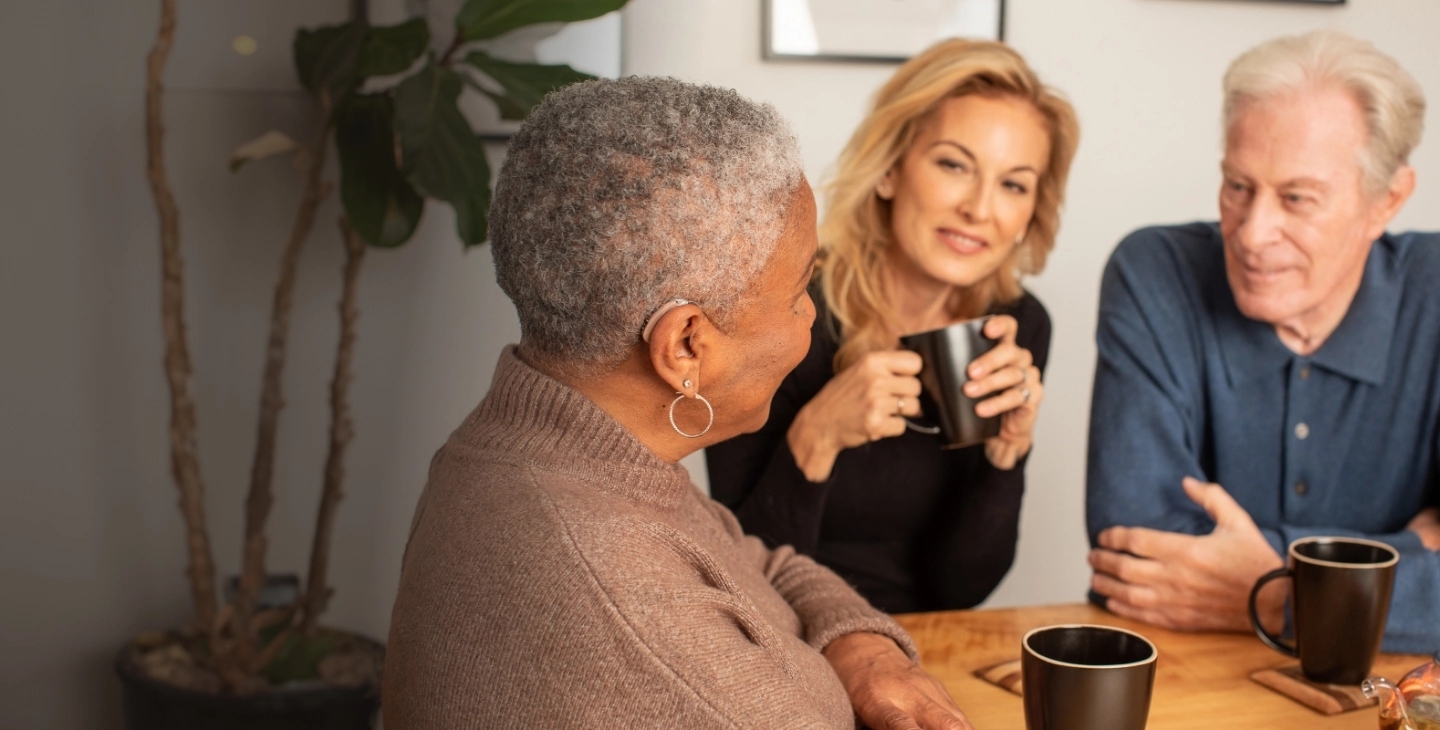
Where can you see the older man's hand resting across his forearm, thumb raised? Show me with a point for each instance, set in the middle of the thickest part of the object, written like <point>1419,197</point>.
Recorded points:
<point>1186,582</point>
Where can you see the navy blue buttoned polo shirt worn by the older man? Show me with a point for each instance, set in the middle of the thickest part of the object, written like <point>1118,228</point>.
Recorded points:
<point>1341,443</point>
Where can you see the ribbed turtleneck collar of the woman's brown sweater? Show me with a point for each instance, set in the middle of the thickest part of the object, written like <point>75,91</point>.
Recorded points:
<point>539,421</point>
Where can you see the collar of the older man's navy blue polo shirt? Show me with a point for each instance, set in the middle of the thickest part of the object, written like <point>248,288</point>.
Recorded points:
<point>1359,349</point>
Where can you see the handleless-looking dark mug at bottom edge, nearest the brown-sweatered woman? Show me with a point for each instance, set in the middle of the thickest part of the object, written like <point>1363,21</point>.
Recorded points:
<point>1086,679</point>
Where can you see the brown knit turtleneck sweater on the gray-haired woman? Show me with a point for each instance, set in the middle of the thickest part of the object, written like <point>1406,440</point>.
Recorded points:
<point>562,575</point>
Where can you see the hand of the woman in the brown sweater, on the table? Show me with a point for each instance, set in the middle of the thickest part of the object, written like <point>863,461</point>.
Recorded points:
<point>888,690</point>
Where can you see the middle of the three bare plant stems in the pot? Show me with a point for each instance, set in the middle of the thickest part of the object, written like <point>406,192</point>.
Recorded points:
<point>261,495</point>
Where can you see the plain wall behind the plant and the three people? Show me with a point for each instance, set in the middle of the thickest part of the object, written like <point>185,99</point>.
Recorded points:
<point>90,535</point>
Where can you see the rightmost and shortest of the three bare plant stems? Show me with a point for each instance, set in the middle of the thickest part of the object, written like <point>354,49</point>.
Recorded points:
<point>318,594</point>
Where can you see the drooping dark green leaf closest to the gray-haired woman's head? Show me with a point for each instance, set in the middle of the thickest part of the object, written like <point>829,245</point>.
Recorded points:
<point>443,155</point>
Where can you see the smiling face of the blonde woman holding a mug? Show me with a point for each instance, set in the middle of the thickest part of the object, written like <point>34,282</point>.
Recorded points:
<point>966,191</point>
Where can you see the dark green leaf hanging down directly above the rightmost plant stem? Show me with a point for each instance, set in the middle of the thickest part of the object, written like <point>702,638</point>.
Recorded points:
<point>381,204</point>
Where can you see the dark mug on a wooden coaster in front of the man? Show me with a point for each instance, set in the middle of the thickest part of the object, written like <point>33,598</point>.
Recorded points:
<point>1341,600</point>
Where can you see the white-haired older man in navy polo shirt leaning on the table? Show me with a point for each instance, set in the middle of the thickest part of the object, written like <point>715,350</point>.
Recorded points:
<point>1277,377</point>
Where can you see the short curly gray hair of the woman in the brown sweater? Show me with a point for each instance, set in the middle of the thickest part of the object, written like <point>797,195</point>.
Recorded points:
<point>620,195</point>
